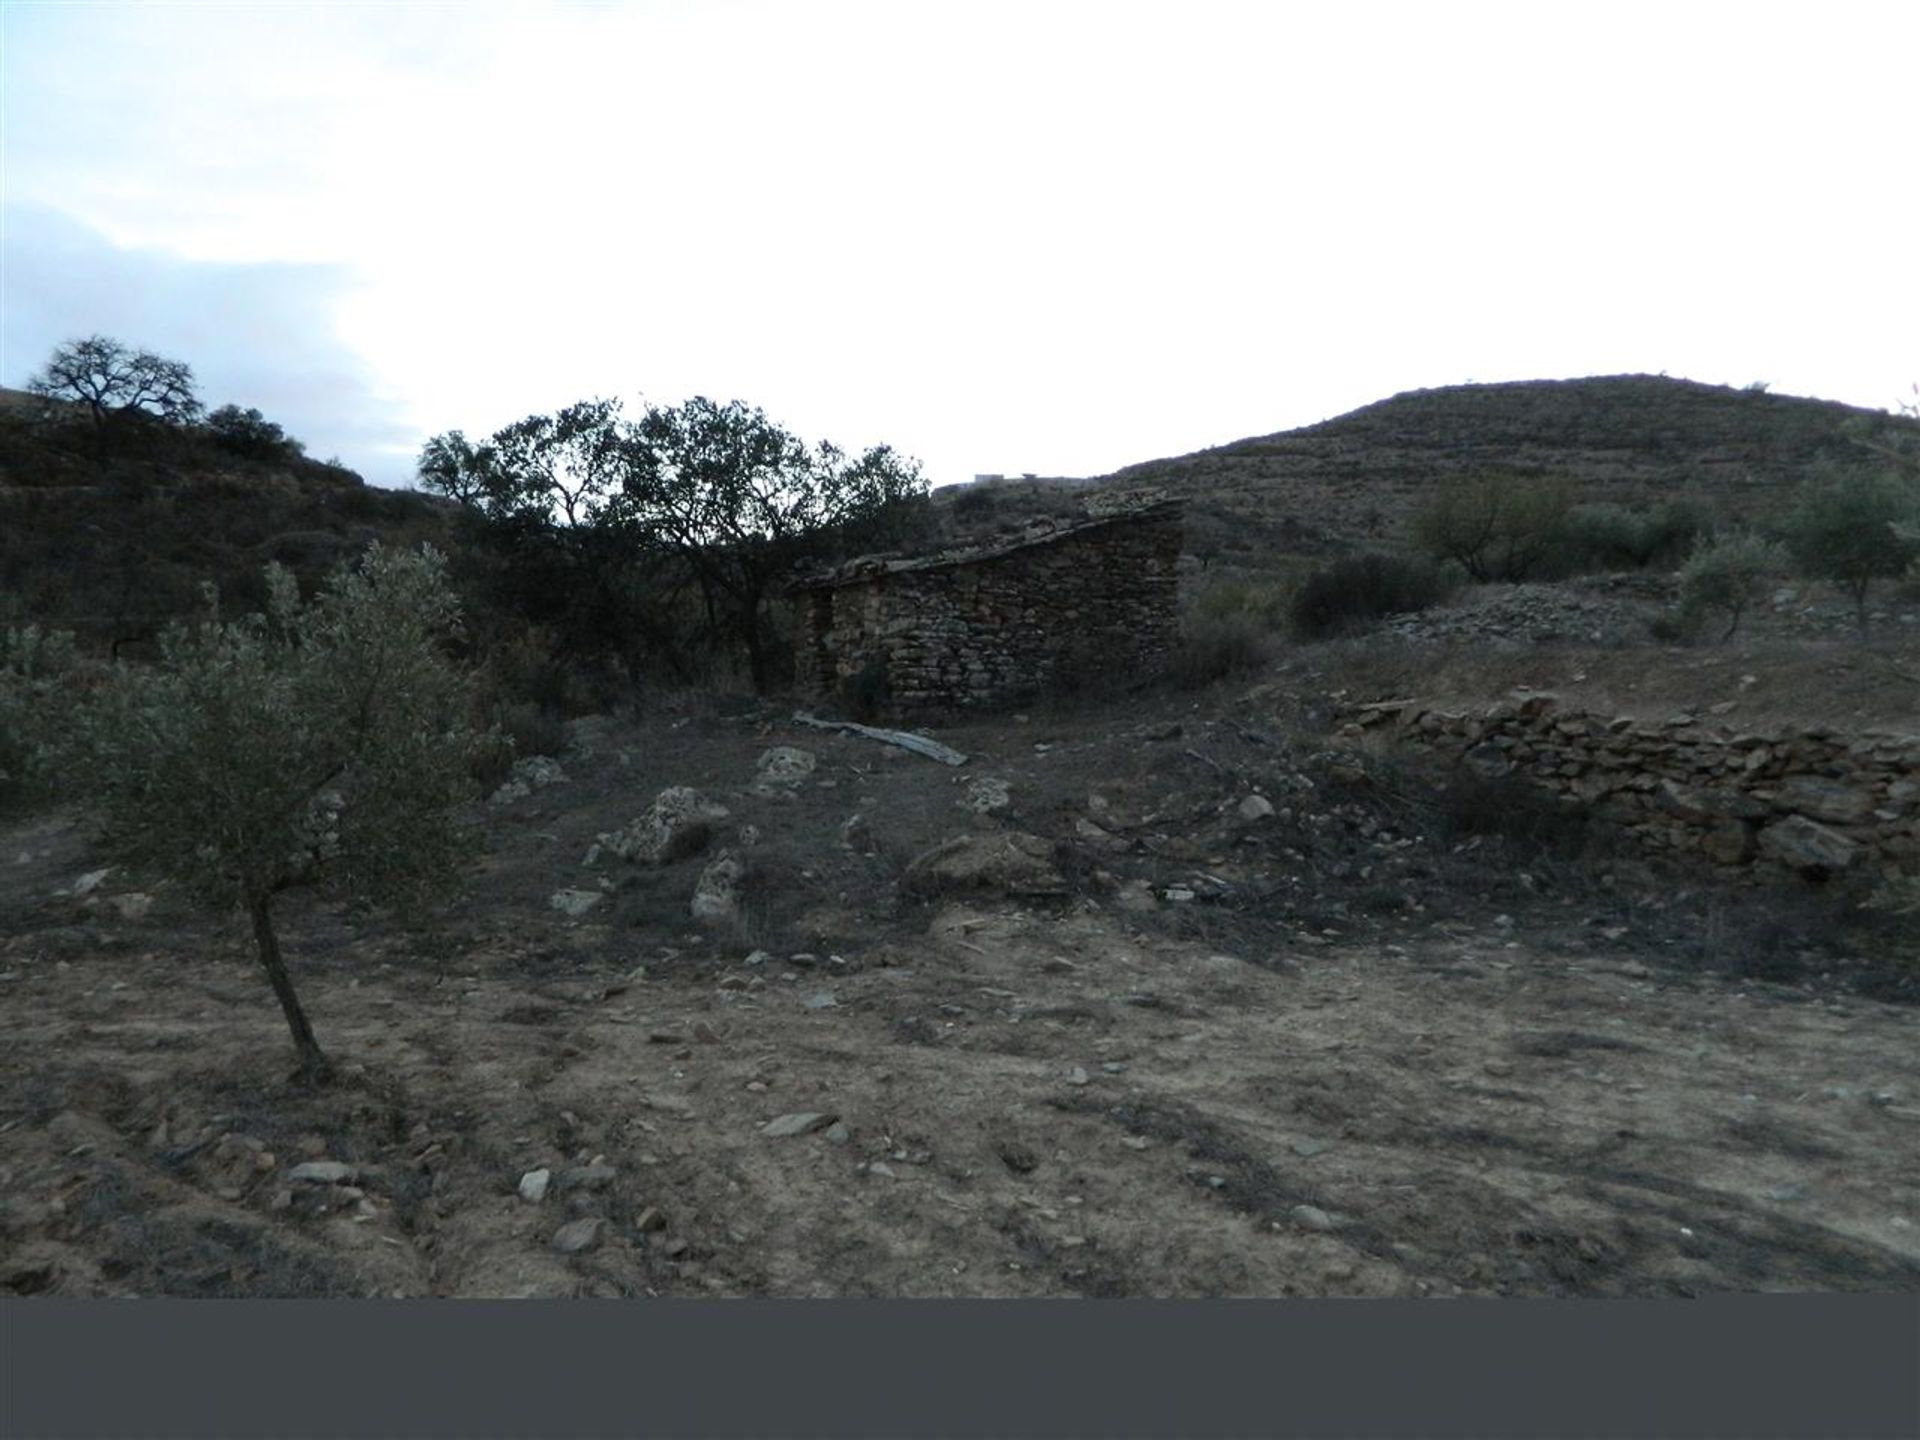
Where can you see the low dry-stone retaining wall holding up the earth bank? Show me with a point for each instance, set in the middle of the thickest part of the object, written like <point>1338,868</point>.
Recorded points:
<point>1785,802</point>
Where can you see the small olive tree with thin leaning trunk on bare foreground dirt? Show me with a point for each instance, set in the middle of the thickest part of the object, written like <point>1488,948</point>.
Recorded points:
<point>322,742</point>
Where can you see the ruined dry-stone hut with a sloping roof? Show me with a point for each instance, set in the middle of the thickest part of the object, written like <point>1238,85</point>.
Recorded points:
<point>997,623</point>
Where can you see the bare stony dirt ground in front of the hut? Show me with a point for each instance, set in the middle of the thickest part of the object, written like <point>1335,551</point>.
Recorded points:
<point>1360,1045</point>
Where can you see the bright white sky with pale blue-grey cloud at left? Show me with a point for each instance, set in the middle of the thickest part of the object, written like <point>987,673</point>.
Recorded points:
<point>999,237</point>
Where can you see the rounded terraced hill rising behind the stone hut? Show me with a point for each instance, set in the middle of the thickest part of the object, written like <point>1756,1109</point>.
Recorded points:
<point>1625,439</point>
